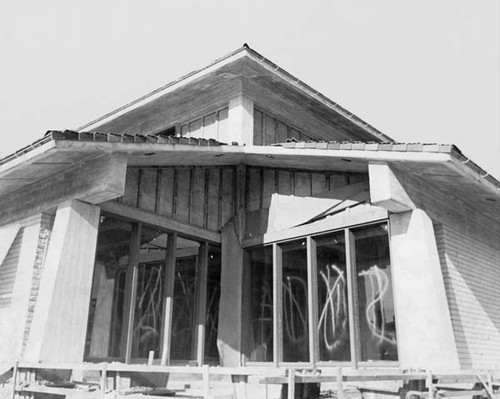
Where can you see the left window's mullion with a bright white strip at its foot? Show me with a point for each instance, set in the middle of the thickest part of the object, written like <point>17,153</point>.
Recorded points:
<point>169,297</point>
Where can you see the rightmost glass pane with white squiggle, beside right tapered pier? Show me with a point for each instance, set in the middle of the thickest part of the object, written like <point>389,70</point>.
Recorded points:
<point>376,306</point>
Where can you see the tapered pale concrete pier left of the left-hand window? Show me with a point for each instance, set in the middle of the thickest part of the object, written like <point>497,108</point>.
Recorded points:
<point>60,319</point>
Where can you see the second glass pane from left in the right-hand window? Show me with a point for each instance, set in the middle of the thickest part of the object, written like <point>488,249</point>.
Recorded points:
<point>295,318</point>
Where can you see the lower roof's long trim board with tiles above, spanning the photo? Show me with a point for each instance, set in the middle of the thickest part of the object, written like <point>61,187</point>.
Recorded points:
<point>49,152</point>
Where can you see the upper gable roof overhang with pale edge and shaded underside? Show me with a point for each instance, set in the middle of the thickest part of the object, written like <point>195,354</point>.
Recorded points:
<point>243,71</point>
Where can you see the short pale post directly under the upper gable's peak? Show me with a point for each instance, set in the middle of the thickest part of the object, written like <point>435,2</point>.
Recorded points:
<point>241,120</point>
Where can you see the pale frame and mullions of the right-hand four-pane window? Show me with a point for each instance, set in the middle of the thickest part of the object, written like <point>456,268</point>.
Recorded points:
<point>312,301</point>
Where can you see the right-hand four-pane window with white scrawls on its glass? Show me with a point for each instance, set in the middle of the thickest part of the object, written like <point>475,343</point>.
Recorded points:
<point>350,303</point>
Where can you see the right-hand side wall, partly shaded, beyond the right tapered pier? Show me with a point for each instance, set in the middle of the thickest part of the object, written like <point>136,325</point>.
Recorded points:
<point>469,251</point>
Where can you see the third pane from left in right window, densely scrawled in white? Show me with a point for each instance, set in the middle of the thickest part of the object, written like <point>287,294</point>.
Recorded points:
<point>333,311</point>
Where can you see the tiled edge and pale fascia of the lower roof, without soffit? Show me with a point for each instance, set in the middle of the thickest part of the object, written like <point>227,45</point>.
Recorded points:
<point>371,152</point>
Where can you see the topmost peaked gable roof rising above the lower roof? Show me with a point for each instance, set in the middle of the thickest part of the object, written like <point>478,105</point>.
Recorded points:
<point>243,63</point>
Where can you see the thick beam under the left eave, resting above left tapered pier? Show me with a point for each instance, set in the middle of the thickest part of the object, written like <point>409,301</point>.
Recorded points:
<point>94,181</point>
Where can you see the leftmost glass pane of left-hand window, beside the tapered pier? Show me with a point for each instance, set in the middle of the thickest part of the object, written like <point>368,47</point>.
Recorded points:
<point>106,333</point>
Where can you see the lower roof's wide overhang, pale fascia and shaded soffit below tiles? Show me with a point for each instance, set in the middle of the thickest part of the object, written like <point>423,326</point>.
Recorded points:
<point>444,167</point>
